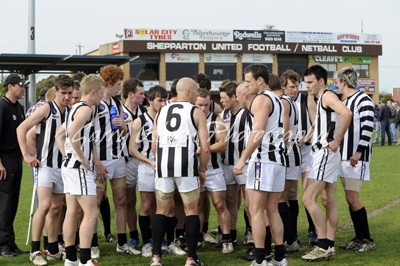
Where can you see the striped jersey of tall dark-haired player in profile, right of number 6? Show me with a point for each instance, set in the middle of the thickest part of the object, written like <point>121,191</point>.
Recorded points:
<point>271,149</point>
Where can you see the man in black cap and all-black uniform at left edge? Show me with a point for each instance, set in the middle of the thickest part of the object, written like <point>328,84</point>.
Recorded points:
<point>11,115</point>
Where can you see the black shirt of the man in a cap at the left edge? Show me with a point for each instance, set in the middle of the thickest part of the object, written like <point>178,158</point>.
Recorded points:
<point>11,116</point>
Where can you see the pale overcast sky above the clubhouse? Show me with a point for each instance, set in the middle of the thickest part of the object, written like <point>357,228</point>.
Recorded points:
<point>62,26</point>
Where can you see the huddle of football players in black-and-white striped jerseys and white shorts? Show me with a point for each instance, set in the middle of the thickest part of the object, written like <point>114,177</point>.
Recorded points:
<point>181,151</point>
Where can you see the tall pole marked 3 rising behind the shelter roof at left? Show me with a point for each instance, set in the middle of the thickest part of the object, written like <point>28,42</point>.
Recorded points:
<point>31,50</point>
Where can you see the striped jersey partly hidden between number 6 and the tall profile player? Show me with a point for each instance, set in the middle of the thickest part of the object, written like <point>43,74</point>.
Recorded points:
<point>236,135</point>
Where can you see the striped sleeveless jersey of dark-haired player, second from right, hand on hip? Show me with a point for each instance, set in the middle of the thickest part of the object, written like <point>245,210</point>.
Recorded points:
<point>326,125</point>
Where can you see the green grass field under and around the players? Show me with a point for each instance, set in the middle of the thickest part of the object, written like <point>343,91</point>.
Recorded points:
<point>376,196</point>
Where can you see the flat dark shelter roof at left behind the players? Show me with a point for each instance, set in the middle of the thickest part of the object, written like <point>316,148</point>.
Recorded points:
<point>27,64</point>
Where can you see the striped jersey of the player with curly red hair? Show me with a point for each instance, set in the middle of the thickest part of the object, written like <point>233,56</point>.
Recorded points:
<point>108,142</point>
